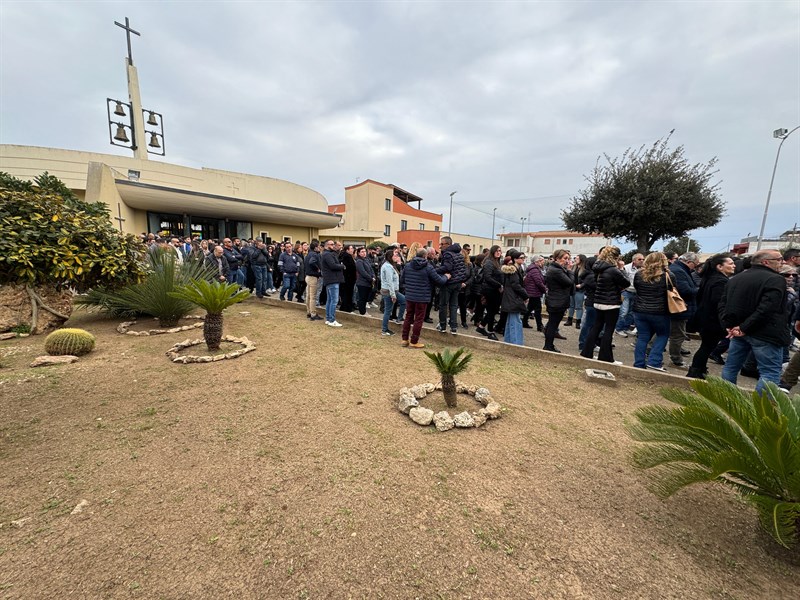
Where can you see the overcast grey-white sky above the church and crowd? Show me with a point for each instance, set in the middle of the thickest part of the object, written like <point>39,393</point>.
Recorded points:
<point>508,103</point>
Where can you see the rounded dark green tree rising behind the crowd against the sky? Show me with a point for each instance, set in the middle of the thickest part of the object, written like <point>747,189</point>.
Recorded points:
<point>646,195</point>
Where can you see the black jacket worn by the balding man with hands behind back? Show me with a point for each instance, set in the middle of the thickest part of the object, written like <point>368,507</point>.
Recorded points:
<point>753,301</point>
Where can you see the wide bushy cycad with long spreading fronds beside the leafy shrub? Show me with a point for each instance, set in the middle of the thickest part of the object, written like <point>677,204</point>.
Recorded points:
<point>152,295</point>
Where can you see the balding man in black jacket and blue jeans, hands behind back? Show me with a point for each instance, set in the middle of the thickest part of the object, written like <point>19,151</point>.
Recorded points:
<point>752,312</point>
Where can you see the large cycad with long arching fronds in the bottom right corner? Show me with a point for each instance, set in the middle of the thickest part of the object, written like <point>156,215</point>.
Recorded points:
<point>748,441</point>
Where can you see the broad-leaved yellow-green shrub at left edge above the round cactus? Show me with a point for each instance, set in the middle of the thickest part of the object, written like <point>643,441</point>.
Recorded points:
<point>52,240</point>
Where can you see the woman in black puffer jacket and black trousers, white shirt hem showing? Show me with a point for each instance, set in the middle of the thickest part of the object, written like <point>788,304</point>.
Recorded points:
<point>607,302</point>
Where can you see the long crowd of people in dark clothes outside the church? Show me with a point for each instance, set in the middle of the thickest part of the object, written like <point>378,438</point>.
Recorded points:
<point>746,308</point>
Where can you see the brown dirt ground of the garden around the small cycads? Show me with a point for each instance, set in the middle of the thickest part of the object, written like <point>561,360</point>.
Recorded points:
<point>289,473</point>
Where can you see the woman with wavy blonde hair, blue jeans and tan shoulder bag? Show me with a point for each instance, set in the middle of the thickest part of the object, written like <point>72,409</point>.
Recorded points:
<point>650,312</point>
